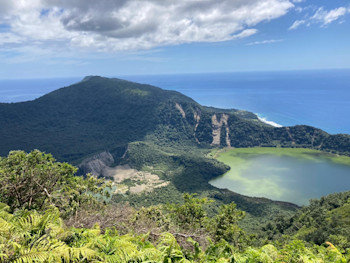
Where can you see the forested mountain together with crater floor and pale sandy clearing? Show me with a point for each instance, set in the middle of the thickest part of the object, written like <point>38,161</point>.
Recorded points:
<point>100,123</point>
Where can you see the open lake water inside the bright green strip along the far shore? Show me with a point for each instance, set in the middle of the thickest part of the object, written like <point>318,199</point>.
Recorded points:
<point>285,178</point>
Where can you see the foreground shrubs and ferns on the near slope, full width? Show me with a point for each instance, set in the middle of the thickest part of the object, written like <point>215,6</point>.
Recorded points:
<point>164,233</point>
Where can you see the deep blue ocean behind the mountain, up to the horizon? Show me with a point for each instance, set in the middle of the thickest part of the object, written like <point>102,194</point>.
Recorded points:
<point>318,98</point>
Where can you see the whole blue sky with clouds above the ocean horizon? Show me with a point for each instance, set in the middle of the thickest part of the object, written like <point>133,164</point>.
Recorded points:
<point>63,38</point>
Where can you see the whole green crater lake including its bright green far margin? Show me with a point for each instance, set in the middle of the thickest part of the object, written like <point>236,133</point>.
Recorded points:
<point>284,174</point>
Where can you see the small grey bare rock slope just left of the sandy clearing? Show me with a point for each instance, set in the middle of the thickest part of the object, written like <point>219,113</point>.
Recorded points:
<point>97,164</point>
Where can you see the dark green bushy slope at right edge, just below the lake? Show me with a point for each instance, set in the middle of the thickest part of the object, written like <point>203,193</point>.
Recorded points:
<point>326,219</point>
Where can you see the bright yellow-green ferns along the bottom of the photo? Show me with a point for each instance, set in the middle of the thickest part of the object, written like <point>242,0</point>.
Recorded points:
<point>43,237</point>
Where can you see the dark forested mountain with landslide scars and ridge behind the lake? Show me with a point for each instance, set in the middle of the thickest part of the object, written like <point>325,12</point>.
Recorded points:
<point>99,114</point>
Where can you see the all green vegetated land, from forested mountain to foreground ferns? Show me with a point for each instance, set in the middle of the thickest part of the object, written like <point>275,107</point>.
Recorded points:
<point>140,125</point>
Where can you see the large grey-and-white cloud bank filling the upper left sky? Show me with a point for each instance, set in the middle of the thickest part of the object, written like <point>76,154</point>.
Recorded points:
<point>109,25</point>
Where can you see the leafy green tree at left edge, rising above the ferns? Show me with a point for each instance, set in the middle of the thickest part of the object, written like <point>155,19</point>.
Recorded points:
<point>35,181</point>
